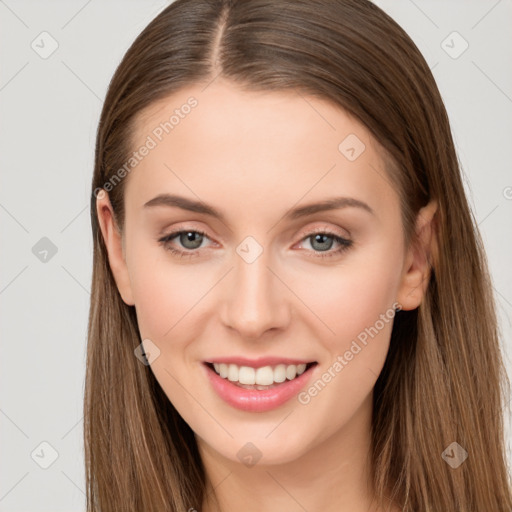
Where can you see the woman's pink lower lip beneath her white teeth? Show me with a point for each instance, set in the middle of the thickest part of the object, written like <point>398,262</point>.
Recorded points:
<point>253,400</point>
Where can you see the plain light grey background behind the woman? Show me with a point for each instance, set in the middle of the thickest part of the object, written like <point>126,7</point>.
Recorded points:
<point>49,113</point>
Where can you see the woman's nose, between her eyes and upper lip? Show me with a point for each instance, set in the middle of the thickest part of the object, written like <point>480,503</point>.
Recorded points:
<point>256,299</point>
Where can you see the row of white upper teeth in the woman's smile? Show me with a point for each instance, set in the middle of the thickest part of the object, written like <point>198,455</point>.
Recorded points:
<point>264,376</point>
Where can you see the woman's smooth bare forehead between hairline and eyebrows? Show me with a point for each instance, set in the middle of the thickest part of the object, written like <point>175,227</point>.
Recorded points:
<point>223,143</point>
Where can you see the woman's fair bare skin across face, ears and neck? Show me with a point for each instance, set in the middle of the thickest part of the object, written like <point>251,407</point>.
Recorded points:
<point>254,156</point>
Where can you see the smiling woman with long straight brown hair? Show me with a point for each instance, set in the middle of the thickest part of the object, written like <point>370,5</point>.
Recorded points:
<point>291,306</point>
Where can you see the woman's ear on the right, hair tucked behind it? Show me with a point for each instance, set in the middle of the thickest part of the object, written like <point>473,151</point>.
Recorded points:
<point>417,267</point>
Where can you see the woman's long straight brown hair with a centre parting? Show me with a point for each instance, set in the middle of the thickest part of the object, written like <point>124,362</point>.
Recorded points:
<point>443,380</point>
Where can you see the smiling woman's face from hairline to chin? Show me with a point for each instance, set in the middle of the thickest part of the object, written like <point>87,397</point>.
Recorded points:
<point>274,283</point>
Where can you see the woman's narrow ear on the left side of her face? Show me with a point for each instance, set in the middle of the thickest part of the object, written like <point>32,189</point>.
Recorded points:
<point>115,248</point>
